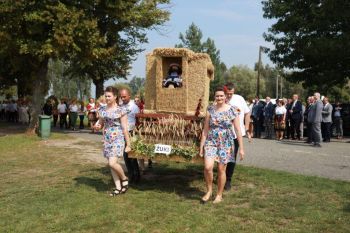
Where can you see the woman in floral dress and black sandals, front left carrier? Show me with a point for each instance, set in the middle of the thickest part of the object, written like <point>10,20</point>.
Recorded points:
<point>114,120</point>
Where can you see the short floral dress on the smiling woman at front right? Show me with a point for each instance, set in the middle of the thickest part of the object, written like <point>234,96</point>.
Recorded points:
<point>220,140</point>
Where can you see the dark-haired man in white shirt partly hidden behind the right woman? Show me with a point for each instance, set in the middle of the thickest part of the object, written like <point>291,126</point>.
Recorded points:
<point>244,118</point>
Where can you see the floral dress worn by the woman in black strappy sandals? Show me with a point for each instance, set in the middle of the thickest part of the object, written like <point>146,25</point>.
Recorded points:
<point>114,142</point>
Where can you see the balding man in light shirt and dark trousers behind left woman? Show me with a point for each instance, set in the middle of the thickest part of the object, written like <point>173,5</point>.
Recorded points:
<point>132,110</point>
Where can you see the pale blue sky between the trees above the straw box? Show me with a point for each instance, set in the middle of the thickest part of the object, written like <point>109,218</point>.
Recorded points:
<point>236,26</point>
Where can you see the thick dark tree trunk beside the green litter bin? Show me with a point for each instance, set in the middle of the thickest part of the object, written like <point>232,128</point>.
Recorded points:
<point>40,89</point>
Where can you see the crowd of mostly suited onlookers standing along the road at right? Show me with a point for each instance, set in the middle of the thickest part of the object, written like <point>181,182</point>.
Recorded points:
<point>290,118</point>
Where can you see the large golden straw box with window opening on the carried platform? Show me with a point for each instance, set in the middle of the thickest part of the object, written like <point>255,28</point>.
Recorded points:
<point>197,72</point>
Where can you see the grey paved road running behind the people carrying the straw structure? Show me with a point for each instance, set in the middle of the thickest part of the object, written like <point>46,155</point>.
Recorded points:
<point>330,161</point>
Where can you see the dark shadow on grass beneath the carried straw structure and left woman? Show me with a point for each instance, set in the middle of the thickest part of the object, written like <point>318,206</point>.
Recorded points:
<point>161,178</point>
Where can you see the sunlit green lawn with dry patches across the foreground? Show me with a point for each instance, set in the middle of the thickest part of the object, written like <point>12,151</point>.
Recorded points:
<point>47,189</point>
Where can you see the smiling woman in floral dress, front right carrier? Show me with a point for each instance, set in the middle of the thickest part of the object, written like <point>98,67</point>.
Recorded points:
<point>220,128</point>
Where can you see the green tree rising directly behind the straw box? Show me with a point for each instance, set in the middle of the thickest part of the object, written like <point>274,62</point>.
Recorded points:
<point>192,39</point>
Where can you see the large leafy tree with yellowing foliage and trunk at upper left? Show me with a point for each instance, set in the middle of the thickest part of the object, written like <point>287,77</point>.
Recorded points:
<point>100,38</point>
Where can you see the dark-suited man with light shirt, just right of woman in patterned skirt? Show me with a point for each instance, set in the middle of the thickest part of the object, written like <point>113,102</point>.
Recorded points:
<point>295,117</point>
